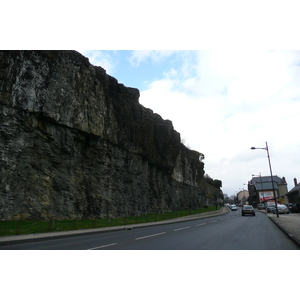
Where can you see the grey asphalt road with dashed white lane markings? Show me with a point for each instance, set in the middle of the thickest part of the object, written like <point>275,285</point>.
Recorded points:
<point>226,232</point>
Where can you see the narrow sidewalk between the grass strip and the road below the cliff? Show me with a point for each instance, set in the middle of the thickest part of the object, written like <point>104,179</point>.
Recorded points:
<point>26,238</point>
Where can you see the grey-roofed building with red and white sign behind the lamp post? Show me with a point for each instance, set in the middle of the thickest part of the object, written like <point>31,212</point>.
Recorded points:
<point>261,190</point>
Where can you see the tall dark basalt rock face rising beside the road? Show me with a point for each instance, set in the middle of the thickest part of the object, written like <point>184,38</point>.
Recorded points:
<point>74,143</point>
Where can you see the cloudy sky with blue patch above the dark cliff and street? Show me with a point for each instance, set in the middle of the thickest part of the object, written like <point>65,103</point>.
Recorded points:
<point>222,102</point>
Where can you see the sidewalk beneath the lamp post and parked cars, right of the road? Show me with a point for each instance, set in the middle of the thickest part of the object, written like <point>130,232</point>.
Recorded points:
<point>288,223</point>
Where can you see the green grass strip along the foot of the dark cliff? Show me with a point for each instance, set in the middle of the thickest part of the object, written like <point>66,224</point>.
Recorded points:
<point>42,226</point>
